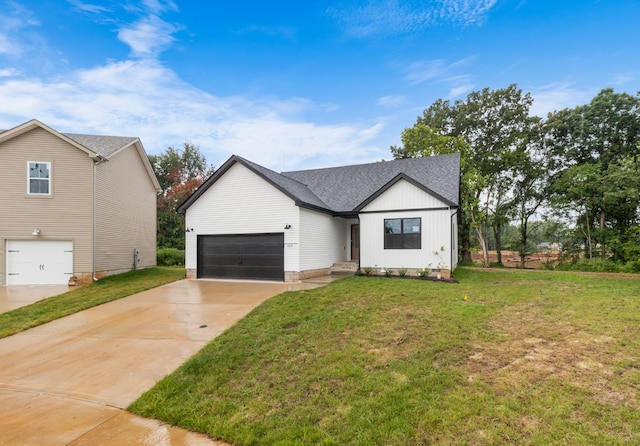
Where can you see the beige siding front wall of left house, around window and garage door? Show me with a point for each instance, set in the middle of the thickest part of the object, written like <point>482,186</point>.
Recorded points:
<point>65,214</point>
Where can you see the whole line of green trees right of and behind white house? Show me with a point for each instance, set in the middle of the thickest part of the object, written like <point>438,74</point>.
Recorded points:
<point>576,168</point>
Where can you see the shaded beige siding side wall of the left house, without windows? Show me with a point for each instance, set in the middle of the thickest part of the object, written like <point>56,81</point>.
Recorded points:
<point>125,213</point>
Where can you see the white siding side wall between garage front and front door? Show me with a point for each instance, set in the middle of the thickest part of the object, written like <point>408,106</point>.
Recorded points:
<point>322,240</point>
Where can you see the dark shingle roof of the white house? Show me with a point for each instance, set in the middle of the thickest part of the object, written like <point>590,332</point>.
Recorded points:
<point>347,189</point>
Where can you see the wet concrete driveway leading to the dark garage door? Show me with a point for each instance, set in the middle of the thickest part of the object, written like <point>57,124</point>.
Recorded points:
<point>66,382</point>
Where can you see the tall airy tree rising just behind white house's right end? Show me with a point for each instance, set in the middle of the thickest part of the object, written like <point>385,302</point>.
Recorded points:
<point>494,123</point>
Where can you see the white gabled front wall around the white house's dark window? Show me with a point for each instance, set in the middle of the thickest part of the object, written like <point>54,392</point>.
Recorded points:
<point>404,200</point>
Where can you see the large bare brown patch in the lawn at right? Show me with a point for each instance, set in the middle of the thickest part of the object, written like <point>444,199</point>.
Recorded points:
<point>526,349</point>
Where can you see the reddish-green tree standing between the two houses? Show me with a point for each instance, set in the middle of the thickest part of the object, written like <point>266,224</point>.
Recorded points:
<point>179,172</point>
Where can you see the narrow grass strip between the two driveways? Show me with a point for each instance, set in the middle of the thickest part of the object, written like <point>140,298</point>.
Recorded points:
<point>105,290</point>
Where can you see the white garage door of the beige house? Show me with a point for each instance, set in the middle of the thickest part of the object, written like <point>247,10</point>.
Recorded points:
<point>39,262</point>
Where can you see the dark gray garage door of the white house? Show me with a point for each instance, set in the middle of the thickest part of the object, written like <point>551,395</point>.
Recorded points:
<point>241,256</point>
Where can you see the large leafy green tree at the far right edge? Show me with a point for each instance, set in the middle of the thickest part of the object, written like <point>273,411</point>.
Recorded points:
<point>595,155</point>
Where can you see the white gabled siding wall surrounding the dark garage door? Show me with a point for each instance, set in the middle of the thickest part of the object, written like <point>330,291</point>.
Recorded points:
<point>264,210</point>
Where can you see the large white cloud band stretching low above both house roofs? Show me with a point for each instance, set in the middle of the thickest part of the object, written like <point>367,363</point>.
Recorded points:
<point>145,99</point>
